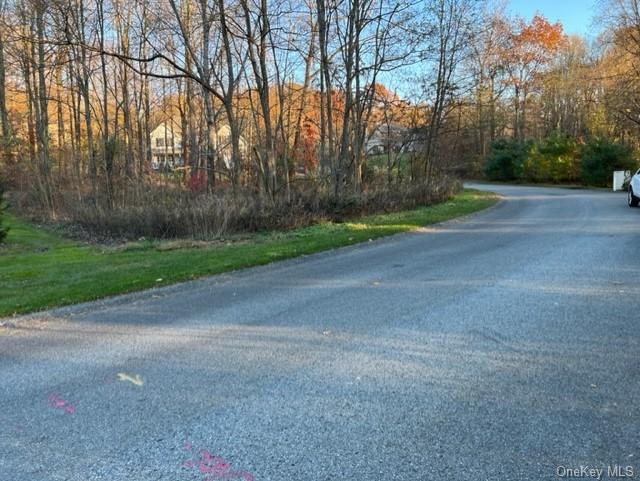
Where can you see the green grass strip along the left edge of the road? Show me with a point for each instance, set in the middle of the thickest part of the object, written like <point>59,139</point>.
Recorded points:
<point>39,269</point>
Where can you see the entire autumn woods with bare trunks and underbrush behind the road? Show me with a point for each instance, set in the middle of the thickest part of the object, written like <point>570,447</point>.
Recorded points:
<point>273,113</point>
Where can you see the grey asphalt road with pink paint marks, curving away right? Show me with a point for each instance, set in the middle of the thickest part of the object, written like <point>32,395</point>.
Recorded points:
<point>505,346</point>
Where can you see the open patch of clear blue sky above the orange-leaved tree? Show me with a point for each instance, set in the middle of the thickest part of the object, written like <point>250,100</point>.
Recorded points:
<point>575,15</point>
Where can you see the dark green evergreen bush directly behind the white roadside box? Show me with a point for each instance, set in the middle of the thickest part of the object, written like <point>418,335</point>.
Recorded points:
<point>600,157</point>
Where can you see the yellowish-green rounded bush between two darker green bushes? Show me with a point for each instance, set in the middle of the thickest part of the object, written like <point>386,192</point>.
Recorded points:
<point>554,159</point>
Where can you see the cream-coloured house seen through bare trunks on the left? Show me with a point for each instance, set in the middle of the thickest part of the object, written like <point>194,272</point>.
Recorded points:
<point>166,146</point>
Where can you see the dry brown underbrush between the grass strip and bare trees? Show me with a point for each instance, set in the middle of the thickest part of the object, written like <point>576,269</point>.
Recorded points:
<point>169,212</point>
